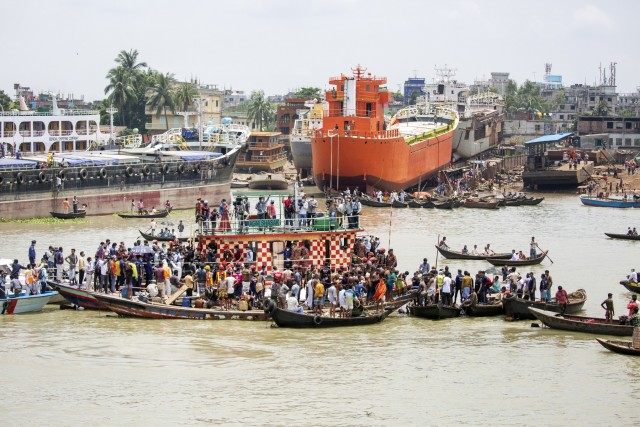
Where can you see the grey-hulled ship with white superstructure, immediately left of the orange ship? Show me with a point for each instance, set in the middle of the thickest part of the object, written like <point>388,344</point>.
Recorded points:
<point>303,129</point>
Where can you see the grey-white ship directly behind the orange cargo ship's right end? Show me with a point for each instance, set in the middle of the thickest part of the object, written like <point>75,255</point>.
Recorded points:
<point>482,114</point>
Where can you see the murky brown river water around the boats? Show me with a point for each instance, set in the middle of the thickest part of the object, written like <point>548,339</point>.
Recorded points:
<point>70,367</point>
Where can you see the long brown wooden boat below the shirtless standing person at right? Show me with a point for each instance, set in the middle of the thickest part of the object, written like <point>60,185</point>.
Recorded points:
<point>590,325</point>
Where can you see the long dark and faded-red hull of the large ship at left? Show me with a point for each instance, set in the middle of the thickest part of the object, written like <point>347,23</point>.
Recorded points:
<point>114,192</point>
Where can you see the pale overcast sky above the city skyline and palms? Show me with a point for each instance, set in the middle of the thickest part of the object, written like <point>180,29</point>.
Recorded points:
<point>280,45</point>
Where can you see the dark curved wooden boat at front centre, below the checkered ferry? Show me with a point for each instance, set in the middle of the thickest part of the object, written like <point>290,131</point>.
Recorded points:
<point>289,319</point>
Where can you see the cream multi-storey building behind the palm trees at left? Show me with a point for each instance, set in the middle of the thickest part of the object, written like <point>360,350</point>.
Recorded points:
<point>211,112</point>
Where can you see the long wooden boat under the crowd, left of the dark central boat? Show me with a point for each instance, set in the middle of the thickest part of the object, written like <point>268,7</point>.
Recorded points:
<point>132,308</point>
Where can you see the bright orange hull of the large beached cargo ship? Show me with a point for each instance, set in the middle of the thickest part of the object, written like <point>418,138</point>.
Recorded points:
<point>388,164</point>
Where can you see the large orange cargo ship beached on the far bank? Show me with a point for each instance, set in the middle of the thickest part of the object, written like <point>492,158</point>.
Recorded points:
<point>355,148</point>
